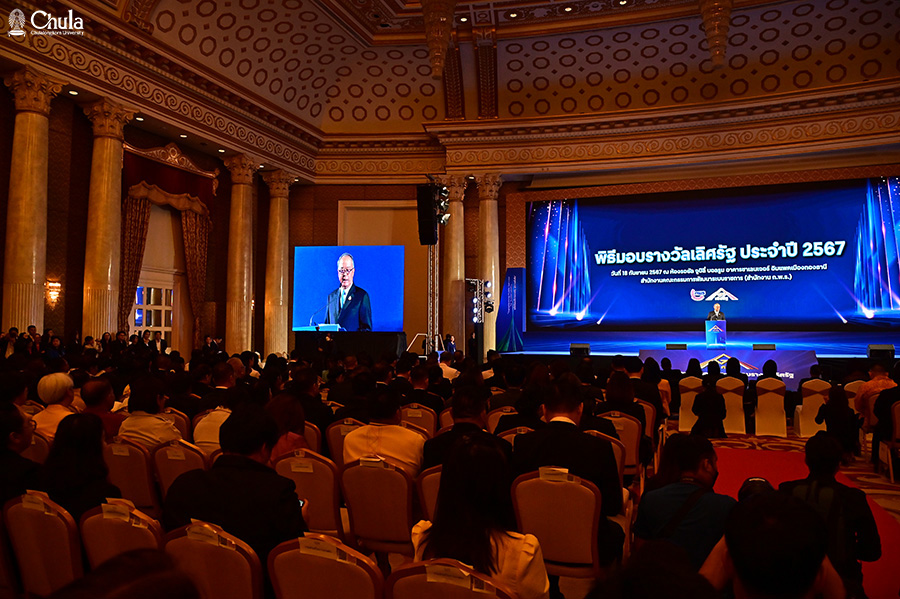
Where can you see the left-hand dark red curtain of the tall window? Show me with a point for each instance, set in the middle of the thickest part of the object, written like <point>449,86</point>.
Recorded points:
<point>135,222</point>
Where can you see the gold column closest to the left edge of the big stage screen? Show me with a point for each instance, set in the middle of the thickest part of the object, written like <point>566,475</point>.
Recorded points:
<point>489,248</point>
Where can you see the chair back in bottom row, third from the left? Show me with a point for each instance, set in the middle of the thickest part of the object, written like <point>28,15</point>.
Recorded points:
<point>220,565</point>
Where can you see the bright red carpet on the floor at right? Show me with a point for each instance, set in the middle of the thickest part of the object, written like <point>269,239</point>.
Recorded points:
<point>881,578</point>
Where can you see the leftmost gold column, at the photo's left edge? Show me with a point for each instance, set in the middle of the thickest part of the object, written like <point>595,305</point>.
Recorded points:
<point>25,261</point>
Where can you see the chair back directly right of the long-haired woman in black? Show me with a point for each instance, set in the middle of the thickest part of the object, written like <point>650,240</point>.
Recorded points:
<point>130,469</point>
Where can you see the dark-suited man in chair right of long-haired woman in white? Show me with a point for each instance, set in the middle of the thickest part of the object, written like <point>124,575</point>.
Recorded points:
<point>561,444</point>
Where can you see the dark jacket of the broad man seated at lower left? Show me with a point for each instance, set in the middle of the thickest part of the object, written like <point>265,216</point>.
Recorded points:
<point>246,498</point>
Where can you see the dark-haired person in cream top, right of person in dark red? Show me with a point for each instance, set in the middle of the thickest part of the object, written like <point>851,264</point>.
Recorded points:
<point>144,425</point>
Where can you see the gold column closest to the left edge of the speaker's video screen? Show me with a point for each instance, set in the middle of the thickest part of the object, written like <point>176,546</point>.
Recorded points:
<point>277,257</point>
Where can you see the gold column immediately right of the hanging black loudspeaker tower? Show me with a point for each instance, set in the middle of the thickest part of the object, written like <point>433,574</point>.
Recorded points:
<point>453,273</point>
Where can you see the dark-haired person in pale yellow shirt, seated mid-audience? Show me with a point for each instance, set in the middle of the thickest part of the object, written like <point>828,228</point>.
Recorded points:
<point>383,436</point>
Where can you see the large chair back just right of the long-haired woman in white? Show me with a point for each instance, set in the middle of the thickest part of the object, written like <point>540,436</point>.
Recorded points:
<point>568,537</point>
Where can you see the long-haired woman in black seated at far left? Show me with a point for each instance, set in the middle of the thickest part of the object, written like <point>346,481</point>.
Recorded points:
<point>75,474</point>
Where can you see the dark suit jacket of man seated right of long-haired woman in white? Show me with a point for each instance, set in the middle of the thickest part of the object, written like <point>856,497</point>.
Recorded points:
<point>562,444</point>
